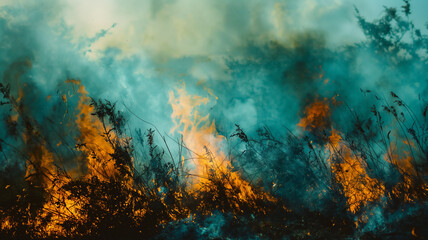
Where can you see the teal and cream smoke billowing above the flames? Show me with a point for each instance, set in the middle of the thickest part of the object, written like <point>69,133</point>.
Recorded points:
<point>261,61</point>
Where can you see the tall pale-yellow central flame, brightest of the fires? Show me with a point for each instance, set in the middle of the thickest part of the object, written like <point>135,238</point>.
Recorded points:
<point>204,144</point>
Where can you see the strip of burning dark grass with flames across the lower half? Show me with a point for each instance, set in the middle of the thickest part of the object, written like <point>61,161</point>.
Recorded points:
<point>332,180</point>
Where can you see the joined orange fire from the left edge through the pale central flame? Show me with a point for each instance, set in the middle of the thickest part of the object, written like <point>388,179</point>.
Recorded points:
<point>67,193</point>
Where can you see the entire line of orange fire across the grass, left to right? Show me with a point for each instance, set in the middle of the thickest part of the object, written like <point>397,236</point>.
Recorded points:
<point>215,185</point>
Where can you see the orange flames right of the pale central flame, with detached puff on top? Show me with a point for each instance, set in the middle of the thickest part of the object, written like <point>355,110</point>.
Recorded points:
<point>350,170</point>
